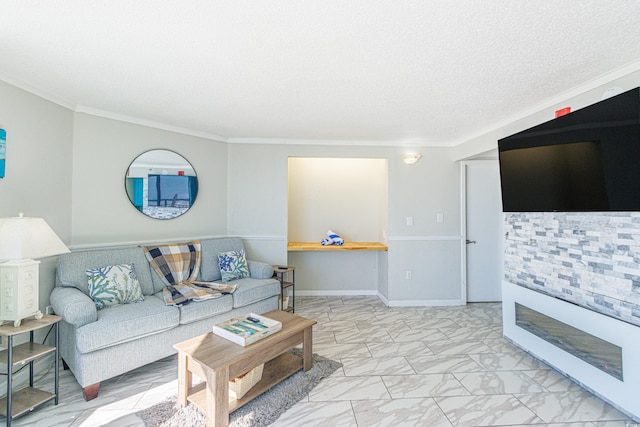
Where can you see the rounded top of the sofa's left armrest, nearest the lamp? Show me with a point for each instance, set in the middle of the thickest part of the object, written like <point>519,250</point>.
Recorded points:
<point>73,306</point>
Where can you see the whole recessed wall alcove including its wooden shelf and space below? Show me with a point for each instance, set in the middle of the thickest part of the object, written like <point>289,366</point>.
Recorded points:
<point>350,197</point>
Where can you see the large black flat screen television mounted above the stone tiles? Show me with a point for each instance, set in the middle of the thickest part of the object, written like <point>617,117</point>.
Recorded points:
<point>585,161</point>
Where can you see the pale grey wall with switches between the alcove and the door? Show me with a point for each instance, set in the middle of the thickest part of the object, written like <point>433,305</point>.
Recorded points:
<point>429,249</point>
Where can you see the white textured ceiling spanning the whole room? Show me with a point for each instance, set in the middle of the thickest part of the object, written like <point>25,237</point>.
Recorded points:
<point>423,72</point>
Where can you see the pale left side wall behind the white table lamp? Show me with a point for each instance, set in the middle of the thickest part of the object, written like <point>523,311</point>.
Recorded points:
<point>39,167</point>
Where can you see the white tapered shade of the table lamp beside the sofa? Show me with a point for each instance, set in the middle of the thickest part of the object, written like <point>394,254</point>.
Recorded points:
<point>28,238</point>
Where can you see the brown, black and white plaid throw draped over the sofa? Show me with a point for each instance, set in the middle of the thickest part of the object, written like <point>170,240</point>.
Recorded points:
<point>178,265</point>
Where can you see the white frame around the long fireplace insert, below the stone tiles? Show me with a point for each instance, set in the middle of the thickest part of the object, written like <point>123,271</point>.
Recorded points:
<point>621,394</point>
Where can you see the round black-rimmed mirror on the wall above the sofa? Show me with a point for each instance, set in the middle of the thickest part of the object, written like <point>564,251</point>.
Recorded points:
<point>161,184</point>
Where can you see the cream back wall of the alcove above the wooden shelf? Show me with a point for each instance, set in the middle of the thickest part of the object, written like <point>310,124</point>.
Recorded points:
<point>346,195</point>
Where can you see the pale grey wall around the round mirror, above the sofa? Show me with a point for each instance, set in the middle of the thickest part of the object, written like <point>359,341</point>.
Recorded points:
<point>102,214</point>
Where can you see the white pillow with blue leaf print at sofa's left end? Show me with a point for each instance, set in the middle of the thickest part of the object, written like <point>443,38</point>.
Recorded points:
<point>113,285</point>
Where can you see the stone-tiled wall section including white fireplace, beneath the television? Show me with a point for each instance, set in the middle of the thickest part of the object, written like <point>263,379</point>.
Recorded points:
<point>581,270</point>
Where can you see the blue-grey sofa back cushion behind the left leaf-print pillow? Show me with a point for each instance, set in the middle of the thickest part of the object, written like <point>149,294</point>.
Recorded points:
<point>72,267</point>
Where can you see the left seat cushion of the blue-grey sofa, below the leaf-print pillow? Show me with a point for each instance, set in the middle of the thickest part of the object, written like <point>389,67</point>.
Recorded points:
<point>126,322</point>
